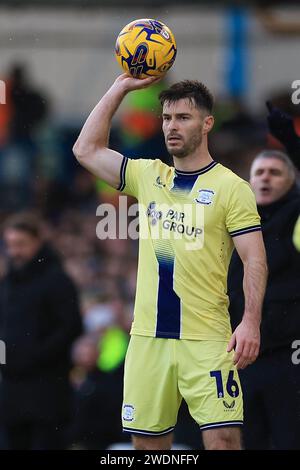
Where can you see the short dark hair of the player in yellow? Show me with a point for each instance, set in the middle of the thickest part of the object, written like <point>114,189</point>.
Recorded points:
<point>195,91</point>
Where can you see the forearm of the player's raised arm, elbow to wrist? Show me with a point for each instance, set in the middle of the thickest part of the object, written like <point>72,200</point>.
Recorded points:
<point>95,132</point>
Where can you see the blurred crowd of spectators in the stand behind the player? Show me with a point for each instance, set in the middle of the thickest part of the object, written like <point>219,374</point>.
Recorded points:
<point>39,173</point>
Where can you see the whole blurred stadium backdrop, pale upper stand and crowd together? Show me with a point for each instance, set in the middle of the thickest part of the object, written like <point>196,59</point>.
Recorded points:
<point>64,53</point>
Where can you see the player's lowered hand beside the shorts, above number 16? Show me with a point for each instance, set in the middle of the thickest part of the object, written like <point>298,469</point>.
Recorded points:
<point>245,341</point>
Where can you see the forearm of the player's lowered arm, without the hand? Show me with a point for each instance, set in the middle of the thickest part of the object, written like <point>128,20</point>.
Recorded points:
<point>254,285</point>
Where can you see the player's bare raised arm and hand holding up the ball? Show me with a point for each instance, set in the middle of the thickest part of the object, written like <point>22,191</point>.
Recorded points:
<point>91,148</point>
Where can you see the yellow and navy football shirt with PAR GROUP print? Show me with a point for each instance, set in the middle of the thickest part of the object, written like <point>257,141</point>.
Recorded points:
<point>187,222</point>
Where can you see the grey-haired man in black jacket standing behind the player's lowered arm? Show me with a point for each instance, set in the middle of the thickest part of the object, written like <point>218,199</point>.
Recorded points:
<point>272,384</point>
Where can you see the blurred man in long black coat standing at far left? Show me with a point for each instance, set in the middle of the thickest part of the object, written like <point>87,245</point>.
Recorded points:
<point>39,320</point>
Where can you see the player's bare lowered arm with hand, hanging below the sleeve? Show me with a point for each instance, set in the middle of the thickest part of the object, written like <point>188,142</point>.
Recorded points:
<point>246,337</point>
